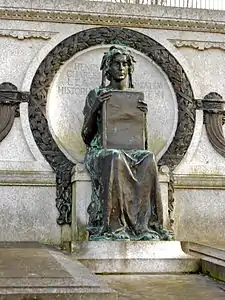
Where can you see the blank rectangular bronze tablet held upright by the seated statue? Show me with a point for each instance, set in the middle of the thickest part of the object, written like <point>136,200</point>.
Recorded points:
<point>123,123</point>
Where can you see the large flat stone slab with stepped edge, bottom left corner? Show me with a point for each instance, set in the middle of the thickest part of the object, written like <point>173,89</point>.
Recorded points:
<point>33,271</point>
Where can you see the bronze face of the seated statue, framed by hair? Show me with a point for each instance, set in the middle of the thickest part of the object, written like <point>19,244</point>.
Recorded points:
<point>119,67</point>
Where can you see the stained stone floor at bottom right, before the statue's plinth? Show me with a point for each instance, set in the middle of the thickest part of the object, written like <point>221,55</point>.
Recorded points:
<point>164,287</point>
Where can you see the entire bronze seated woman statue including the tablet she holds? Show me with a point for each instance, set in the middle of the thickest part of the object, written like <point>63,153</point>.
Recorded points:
<point>126,201</point>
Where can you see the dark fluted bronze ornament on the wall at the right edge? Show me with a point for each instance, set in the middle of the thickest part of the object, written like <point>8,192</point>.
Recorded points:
<point>214,113</point>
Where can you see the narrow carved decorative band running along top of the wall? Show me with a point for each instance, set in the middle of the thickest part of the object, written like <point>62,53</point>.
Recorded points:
<point>111,20</point>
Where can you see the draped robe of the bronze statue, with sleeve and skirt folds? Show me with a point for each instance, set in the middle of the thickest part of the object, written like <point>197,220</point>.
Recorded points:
<point>126,197</point>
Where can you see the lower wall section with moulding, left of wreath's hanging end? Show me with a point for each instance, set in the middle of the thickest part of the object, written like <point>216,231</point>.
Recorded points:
<point>29,212</point>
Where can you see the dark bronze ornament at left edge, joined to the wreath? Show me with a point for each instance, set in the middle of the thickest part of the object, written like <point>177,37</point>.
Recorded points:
<point>9,106</point>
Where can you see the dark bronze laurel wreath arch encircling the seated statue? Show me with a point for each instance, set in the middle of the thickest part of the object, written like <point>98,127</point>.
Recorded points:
<point>64,51</point>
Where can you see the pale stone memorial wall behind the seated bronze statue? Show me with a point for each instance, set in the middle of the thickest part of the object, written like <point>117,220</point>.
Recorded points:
<point>33,31</point>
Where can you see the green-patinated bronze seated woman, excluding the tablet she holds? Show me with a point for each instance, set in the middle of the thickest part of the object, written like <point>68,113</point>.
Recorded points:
<point>126,201</point>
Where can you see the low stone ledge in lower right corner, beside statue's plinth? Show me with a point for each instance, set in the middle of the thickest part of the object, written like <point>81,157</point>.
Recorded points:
<point>212,258</point>
